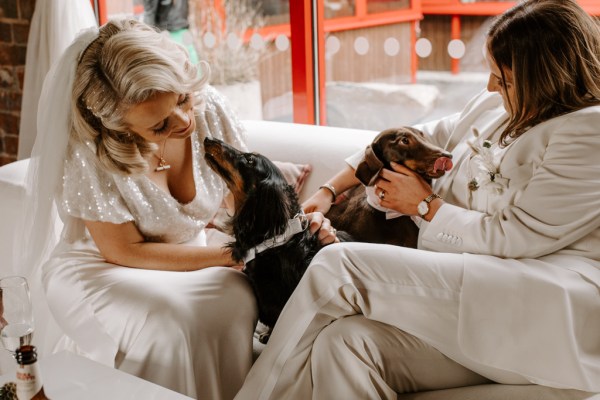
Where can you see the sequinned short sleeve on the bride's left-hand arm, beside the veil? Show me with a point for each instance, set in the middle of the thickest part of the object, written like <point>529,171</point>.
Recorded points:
<point>88,192</point>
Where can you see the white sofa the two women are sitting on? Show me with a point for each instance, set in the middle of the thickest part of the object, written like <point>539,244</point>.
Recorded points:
<point>324,148</point>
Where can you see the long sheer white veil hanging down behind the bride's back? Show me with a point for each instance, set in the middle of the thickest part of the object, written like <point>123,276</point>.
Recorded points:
<point>37,232</point>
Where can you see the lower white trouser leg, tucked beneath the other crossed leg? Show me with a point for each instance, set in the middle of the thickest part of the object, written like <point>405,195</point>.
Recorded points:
<point>357,358</point>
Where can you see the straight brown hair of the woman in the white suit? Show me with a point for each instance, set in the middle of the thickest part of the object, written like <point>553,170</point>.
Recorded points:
<point>552,48</point>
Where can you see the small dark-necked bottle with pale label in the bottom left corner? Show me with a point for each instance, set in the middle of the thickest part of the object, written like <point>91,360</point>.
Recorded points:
<point>29,380</point>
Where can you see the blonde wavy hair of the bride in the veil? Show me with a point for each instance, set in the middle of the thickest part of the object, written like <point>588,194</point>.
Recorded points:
<point>127,64</point>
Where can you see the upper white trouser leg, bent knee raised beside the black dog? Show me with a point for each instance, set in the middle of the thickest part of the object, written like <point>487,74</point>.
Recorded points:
<point>415,291</point>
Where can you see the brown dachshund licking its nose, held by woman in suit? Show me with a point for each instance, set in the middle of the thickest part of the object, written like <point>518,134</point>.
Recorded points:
<point>356,219</point>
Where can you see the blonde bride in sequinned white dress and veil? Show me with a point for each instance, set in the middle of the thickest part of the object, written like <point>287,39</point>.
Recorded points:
<point>132,282</point>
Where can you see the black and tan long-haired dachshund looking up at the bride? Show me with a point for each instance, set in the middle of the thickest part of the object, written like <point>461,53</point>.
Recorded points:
<point>270,230</point>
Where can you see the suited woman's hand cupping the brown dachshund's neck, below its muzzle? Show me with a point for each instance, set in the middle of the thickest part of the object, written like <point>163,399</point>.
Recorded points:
<point>404,189</point>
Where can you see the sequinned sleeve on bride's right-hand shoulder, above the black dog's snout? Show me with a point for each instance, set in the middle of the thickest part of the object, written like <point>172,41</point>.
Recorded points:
<point>220,121</point>
